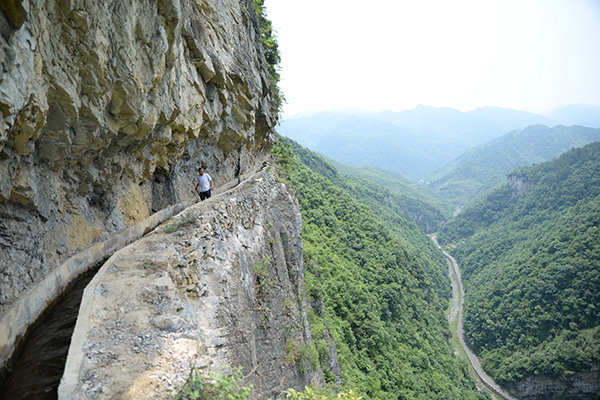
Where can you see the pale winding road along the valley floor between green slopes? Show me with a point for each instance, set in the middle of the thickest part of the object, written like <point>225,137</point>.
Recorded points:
<point>458,295</point>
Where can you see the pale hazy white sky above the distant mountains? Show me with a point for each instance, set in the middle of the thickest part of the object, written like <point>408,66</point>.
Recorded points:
<point>395,54</point>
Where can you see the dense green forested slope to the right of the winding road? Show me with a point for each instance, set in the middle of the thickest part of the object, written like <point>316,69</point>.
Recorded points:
<point>530,256</point>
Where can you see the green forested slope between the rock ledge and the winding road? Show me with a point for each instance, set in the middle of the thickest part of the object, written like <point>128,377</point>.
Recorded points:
<point>382,300</point>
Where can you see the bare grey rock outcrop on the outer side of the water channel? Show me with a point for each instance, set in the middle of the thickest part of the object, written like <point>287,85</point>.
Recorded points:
<point>222,283</point>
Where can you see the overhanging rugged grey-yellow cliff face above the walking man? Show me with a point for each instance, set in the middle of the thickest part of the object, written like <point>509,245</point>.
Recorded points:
<point>106,110</point>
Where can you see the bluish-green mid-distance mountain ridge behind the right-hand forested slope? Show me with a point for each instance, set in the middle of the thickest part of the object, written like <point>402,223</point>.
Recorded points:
<point>485,166</point>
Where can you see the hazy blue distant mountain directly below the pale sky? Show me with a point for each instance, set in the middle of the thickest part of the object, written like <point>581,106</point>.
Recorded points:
<point>412,143</point>
